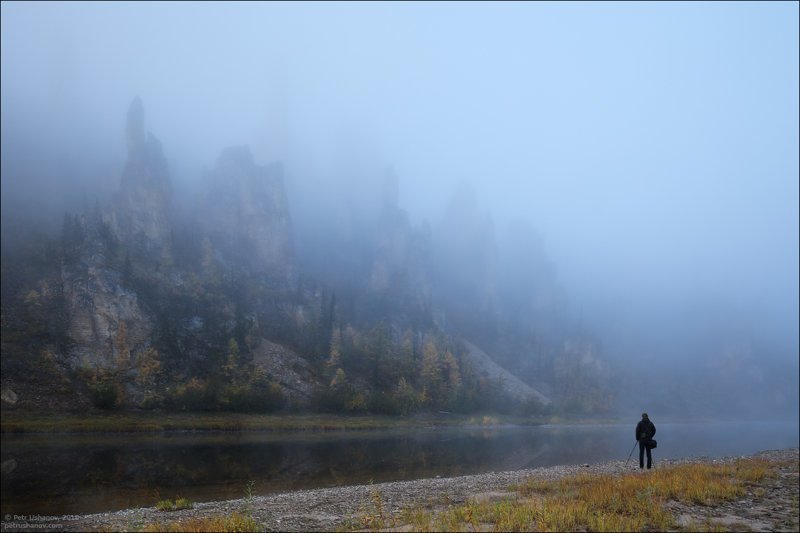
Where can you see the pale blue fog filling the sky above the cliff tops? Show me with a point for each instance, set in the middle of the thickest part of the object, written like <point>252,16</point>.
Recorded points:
<point>640,158</point>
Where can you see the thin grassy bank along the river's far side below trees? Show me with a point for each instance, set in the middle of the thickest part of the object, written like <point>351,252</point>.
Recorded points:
<point>16,422</point>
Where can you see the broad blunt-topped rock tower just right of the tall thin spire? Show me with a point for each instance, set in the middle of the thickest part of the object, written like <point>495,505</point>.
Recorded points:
<point>246,215</point>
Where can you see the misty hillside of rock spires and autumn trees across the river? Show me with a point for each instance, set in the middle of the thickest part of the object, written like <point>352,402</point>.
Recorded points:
<point>133,306</point>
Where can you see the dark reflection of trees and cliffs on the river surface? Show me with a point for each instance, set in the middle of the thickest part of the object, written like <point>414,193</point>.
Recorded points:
<point>80,477</point>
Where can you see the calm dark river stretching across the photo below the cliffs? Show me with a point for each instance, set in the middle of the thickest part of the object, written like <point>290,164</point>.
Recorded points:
<point>69,474</point>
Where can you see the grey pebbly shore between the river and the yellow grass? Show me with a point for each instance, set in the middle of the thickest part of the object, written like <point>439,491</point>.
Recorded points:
<point>774,507</point>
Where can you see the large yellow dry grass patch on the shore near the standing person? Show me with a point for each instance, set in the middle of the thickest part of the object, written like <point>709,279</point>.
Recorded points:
<point>630,502</point>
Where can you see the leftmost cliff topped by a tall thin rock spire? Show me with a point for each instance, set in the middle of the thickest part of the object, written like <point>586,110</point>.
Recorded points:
<point>107,324</point>
